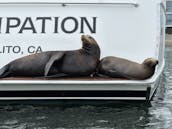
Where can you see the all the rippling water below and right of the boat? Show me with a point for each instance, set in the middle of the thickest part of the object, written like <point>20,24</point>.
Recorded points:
<point>106,115</point>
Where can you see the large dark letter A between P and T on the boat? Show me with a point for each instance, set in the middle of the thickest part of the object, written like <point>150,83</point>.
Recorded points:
<point>30,27</point>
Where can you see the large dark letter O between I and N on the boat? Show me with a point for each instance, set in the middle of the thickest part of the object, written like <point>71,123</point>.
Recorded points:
<point>75,25</point>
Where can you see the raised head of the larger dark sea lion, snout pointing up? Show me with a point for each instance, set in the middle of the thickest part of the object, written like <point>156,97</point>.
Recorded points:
<point>89,44</point>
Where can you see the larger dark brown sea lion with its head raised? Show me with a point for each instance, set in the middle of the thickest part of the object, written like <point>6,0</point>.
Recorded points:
<point>81,62</point>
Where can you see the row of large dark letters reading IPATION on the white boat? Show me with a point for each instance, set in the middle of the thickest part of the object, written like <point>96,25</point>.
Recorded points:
<point>84,23</point>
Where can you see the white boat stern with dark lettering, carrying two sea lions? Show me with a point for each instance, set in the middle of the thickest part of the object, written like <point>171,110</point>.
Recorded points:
<point>131,29</point>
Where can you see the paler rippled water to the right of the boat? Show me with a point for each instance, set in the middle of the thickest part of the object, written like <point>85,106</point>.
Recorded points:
<point>161,107</point>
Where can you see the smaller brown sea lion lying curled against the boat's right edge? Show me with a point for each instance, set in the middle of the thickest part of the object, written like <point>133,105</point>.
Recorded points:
<point>122,68</point>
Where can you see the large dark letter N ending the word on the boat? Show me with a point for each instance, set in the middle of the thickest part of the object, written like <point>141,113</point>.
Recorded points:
<point>91,28</point>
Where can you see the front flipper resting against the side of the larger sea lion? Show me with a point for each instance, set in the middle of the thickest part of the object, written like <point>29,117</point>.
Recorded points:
<point>54,58</point>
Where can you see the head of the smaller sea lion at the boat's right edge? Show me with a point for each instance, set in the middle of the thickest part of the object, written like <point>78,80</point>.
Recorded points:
<point>150,62</point>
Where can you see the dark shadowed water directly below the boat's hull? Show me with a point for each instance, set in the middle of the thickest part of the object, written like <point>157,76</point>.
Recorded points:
<point>118,116</point>
